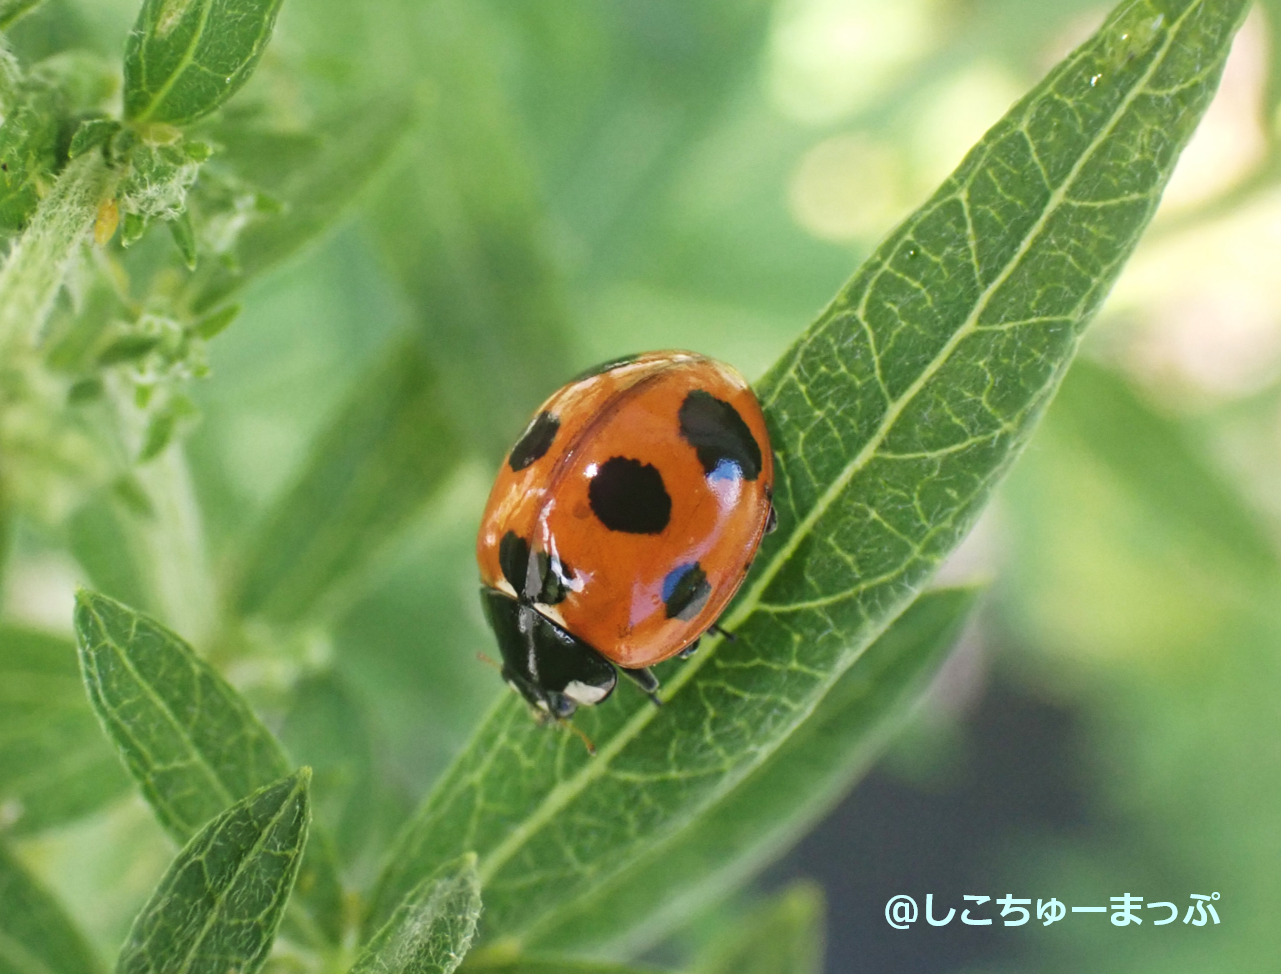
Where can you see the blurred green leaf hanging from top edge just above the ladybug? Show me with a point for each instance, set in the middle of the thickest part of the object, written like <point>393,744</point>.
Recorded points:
<point>463,231</point>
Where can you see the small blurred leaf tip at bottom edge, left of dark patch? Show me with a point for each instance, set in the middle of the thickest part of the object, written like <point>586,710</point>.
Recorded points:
<point>783,936</point>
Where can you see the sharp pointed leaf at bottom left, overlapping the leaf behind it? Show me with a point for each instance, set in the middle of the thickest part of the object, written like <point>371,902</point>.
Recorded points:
<point>221,902</point>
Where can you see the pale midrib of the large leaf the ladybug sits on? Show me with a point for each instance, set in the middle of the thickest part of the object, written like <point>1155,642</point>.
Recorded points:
<point>600,766</point>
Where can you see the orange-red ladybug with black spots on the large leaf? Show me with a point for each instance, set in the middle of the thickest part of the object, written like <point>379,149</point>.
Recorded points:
<point>622,524</point>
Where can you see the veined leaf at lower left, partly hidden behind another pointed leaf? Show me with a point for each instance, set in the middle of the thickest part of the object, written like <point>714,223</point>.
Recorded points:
<point>190,741</point>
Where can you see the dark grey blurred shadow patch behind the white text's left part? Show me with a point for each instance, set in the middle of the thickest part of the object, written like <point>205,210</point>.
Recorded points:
<point>947,839</point>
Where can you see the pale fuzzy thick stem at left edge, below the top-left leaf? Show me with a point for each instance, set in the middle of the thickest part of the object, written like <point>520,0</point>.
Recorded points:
<point>39,261</point>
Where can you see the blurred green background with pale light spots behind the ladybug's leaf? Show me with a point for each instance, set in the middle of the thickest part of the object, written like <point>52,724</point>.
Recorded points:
<point>586,179</point>
